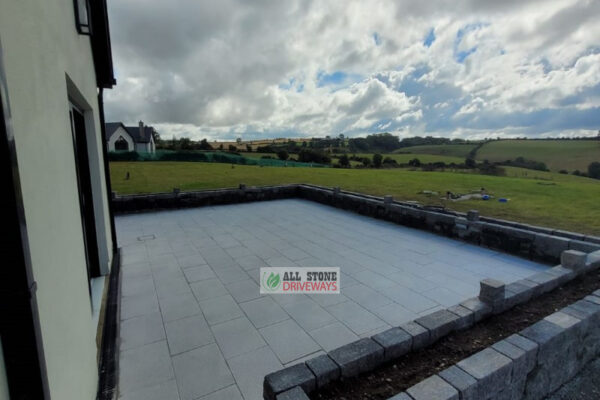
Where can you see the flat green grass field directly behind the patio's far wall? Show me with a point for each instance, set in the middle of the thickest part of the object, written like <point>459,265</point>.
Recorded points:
<point>542,198</point>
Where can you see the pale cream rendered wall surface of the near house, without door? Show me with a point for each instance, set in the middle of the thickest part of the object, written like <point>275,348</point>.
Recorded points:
<point>41,48</point>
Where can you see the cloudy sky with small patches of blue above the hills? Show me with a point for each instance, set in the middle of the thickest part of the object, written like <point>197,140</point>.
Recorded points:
<point>471,69</point>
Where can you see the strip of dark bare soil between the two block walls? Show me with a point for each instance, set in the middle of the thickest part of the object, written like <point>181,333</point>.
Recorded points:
<point>410,369</point>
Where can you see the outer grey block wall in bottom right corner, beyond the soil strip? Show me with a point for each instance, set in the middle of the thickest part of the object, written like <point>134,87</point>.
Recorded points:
<point>528,365</point>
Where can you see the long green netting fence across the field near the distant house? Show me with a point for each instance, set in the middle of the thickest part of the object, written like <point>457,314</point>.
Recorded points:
<point>206,156</point>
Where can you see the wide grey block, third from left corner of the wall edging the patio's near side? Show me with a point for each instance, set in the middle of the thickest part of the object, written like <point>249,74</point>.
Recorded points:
<point>356,357</point>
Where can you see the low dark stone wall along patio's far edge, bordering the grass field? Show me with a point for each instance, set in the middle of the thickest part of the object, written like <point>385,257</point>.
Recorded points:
<point>542,244</point>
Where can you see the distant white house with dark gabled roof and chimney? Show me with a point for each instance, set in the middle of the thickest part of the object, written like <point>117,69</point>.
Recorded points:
<point>130,138</point>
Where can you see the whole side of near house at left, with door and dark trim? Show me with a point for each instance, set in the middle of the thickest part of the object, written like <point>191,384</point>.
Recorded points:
<point>58,243</point>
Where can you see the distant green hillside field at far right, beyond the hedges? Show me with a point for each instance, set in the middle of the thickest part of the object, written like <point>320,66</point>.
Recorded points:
<point>556,154</point>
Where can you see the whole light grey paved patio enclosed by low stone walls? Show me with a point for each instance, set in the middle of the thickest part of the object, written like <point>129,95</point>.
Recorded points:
<point>194,326</point>
